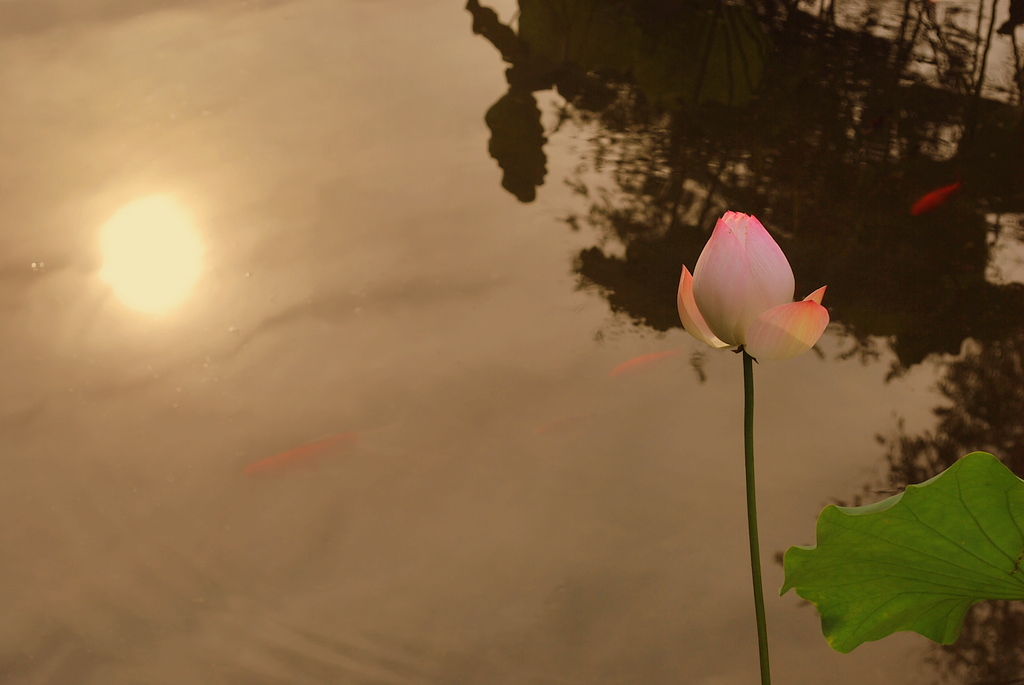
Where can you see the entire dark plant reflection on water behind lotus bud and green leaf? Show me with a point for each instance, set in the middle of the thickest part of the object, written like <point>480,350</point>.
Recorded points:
<point>830,124</point>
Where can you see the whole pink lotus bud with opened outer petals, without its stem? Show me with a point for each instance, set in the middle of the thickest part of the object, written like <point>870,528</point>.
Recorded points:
<point>742,294</point>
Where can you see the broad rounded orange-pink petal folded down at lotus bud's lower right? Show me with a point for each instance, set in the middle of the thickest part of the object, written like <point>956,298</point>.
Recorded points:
<point>787,331</point>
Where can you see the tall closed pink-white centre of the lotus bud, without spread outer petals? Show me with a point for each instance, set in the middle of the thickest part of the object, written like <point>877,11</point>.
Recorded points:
<point>741,274</point>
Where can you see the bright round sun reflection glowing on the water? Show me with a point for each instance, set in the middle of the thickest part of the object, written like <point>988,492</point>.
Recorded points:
<point>152,254</point>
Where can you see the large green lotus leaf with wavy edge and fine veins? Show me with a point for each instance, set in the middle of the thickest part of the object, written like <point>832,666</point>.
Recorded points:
<point>917,562</point>
